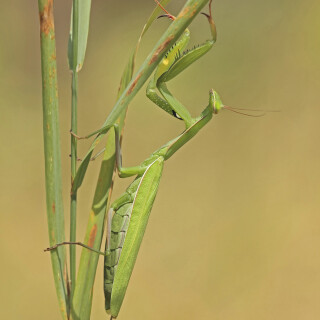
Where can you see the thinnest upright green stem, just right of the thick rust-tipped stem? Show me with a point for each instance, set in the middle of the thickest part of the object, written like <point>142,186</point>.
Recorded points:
<point>74,129</point>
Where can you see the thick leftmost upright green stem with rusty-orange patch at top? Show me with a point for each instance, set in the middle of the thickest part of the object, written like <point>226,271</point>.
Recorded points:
<point>52,151</point>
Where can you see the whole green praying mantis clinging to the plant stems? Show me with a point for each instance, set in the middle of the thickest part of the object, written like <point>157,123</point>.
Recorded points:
<point>128,216</point>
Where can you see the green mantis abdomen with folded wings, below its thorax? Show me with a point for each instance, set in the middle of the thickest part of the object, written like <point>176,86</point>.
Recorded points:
<point>130,217</point>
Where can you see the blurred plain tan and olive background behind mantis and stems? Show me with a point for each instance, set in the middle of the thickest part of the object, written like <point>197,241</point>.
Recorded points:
<point>235,229</point>
